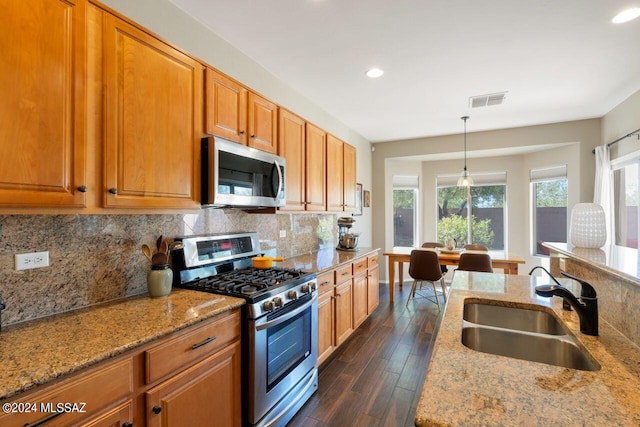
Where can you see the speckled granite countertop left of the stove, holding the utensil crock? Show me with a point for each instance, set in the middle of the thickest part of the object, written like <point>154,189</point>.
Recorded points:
<point>38,351</point>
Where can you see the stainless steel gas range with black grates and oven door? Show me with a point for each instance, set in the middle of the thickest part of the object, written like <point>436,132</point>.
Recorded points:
<point>281,323</point>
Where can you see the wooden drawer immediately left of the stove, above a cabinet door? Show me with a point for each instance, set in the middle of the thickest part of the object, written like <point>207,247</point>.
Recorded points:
<point>180,352</point>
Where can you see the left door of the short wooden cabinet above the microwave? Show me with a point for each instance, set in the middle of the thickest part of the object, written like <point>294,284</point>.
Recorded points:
<point>226,107</point>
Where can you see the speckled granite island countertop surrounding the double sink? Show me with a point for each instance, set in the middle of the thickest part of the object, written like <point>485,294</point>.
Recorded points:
<point>464,387</point>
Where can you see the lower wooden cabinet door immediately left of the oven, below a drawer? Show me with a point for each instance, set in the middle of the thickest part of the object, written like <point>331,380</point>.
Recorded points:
<point>209,390</point>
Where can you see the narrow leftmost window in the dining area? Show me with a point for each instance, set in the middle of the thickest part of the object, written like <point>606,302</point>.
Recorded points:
<point>405,213</point>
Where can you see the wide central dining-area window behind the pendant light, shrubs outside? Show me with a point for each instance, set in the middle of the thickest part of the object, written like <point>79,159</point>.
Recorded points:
<point>485,223</point>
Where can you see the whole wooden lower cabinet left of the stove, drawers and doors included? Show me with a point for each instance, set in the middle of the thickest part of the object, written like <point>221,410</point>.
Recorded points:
<point>204,390</point>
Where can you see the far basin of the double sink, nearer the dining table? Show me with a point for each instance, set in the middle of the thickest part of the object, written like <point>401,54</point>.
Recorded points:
<point>519,318</point>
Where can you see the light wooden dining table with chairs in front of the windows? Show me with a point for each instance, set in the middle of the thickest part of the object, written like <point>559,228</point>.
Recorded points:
<point>499,259</point>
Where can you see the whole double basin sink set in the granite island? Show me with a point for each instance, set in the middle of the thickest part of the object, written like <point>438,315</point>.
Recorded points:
<point>523,331</point>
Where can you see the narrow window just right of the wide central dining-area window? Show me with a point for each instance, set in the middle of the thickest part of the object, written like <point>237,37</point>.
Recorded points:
<point>549,207</point>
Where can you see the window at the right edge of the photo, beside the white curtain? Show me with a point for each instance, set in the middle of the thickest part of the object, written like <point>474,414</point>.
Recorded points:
<point>626,200</point>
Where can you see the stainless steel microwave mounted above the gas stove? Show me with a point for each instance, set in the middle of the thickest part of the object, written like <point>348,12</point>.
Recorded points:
<point>239,176</point>
